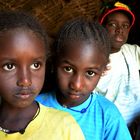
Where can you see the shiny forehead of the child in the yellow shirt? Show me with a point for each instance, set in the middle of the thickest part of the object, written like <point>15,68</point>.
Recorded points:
<point>19,40</point>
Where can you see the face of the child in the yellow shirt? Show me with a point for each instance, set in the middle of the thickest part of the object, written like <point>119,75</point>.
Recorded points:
<point>22,67</point>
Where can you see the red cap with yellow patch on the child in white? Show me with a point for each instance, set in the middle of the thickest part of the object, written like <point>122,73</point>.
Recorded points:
<point>118,7</point>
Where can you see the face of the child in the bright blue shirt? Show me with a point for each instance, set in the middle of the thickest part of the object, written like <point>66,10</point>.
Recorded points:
<point>78,71</point>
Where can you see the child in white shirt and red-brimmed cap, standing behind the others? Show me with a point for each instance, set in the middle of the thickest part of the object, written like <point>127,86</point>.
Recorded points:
<point>121,84</point>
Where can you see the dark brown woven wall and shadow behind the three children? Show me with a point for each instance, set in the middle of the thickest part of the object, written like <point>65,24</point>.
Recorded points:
<point>54,13</point>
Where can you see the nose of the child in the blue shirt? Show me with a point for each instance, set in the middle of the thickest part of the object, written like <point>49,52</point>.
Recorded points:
<point>77,83</point>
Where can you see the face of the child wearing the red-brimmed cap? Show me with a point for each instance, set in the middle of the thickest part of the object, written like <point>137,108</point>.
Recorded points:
<point>118,26</point>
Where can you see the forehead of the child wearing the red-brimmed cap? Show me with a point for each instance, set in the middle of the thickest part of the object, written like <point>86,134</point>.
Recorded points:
<point>118,16</point>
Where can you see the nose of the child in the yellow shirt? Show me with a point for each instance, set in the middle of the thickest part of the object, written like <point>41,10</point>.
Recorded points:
<point>24,78</point>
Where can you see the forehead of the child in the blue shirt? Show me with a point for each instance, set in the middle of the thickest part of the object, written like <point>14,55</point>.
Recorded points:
<point>82,51</point>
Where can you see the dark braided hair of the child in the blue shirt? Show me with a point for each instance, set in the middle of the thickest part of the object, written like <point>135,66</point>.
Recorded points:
<point>78,29</point>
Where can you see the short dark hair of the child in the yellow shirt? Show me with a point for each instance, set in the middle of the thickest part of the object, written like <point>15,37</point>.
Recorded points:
<point>18,19</point>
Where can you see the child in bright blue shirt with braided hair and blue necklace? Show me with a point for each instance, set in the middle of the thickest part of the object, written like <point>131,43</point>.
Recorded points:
<point>80,56</point>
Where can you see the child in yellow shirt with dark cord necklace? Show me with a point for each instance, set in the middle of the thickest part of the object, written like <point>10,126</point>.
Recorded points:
<point>23,51</point>
